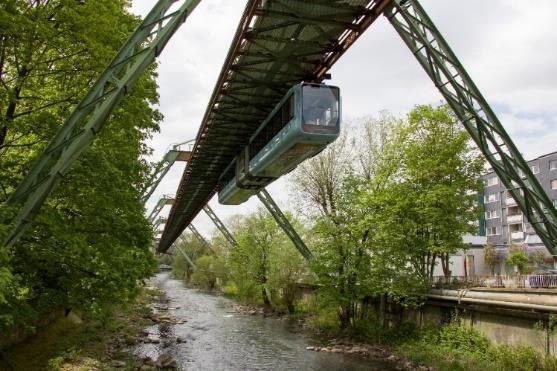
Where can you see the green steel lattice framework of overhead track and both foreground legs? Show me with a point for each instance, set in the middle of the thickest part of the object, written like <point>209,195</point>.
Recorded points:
<point>277,44</point>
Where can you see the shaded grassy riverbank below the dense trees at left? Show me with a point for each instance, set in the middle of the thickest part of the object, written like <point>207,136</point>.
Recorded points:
<point>71,343</point>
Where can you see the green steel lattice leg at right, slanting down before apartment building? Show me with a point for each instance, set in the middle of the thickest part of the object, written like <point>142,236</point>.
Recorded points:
<point>434,54</point>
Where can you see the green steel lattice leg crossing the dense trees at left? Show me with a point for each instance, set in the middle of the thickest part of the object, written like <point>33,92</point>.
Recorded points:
<point>90,115</point>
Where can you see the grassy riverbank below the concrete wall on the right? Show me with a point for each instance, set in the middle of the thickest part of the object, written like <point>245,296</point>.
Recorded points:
<point>453,346</point>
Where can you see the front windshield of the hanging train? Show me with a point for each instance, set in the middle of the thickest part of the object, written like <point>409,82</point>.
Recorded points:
<point>320,105</point>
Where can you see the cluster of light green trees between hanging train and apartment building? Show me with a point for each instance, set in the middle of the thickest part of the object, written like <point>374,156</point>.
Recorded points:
<point>385,217</point>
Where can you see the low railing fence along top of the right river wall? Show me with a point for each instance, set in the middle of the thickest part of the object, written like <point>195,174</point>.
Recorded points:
<point>500,281</point>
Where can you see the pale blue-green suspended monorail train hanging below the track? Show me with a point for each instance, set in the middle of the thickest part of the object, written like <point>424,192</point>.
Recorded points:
<point>305,121</point>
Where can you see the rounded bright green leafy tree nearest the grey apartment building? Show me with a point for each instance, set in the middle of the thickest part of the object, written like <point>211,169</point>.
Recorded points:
<point>433,192</point>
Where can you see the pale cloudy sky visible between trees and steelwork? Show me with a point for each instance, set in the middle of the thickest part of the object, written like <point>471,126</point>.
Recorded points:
<point>508,48</point>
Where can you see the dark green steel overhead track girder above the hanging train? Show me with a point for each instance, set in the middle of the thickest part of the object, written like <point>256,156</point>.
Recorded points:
<point>277,44</point>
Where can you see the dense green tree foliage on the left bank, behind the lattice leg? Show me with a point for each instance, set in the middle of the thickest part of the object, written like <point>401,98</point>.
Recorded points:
<point>89,246</point>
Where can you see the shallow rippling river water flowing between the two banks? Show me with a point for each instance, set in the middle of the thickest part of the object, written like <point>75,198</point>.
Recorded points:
<point>217,339</point>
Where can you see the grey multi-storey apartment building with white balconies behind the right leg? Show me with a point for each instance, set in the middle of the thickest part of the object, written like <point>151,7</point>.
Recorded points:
<point>504,222</point>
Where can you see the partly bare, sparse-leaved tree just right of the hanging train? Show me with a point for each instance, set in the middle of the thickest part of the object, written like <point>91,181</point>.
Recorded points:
<point>333,183</point>
